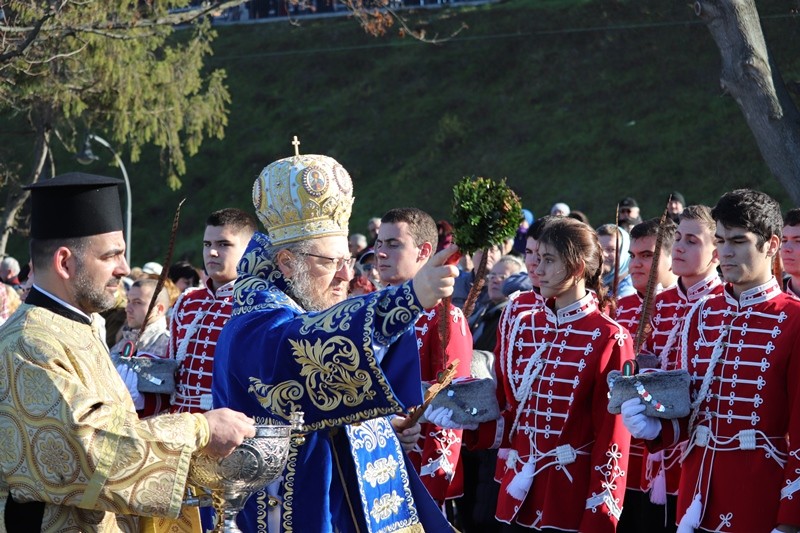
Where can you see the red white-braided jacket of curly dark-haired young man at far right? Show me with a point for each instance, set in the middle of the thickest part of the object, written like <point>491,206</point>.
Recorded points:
<point>742,461</point>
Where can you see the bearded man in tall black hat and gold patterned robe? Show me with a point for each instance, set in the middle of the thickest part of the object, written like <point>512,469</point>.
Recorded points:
<point>75,456</point>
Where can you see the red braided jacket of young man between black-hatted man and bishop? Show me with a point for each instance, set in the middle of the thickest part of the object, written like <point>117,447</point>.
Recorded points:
<point>197,321</point>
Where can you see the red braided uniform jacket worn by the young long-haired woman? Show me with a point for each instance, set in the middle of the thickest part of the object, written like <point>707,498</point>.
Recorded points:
<point>567,467</point>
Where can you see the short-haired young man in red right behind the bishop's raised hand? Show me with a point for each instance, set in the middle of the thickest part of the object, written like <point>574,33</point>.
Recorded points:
<point>406,241</point>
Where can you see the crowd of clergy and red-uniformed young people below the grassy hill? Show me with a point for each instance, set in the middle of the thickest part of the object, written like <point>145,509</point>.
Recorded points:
<point>306,315</point>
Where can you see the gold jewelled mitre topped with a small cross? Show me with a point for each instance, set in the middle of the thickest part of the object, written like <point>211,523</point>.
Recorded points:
<point>303,197</point>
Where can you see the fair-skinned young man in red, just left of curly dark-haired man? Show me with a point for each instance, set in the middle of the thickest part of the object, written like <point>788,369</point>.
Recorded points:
<point>694,260</point>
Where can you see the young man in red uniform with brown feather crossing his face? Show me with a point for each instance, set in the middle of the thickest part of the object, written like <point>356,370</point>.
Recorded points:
<point>629,312</point>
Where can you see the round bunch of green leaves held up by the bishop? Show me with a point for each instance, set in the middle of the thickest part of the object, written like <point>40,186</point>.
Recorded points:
<point>485,213</point>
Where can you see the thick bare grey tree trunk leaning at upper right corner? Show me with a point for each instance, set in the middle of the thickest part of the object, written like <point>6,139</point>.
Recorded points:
<point>754,81</point>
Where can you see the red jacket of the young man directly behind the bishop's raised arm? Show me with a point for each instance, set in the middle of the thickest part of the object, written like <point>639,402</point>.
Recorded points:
<point>437,456</point>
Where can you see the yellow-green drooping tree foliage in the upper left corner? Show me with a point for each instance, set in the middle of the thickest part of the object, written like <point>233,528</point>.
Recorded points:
<point>111,67</point>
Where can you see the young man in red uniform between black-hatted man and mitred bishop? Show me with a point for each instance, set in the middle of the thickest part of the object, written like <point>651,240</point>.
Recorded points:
<point>200,313</point>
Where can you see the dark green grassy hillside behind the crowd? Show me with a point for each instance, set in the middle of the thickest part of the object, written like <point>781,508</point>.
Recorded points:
<point>575,101</point>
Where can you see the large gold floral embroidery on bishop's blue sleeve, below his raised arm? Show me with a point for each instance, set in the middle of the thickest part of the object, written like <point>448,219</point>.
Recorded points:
<point>332,373</point>
